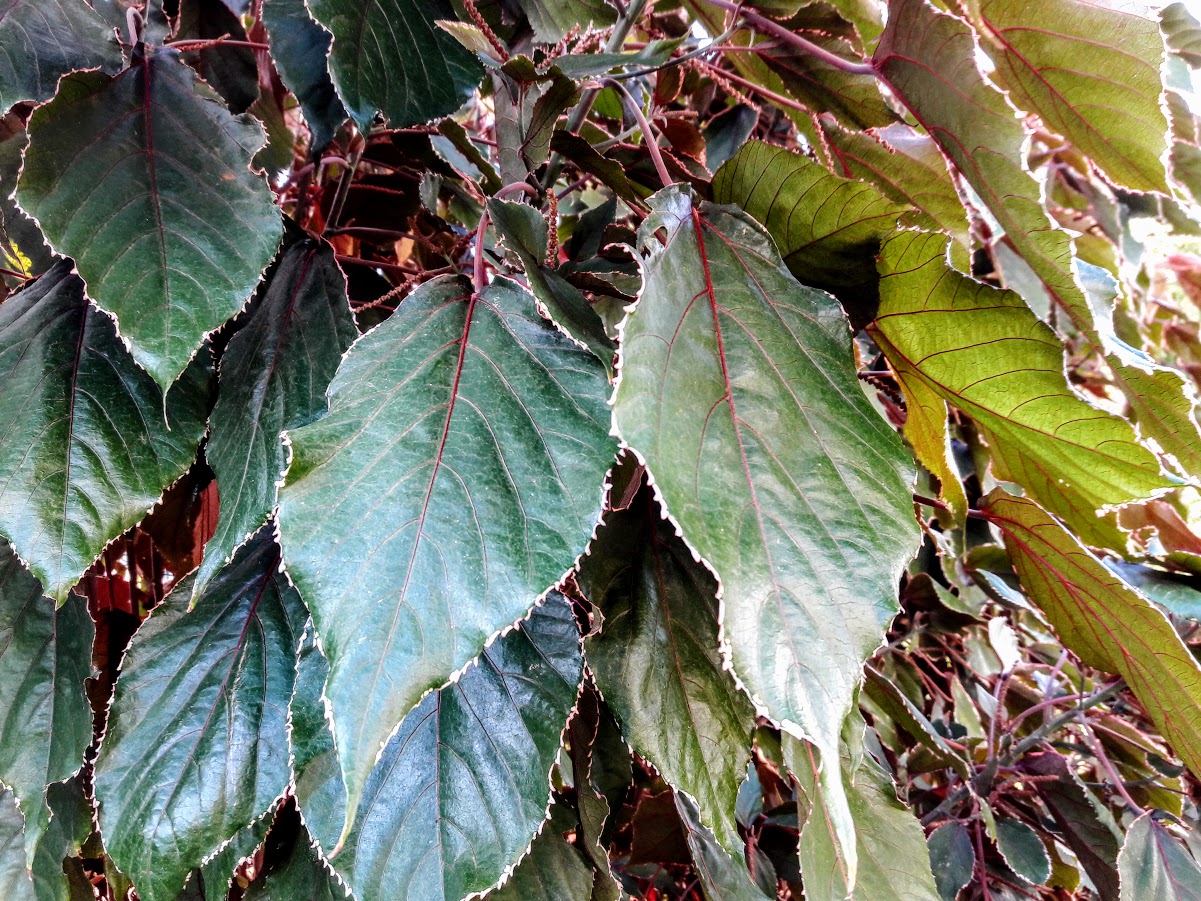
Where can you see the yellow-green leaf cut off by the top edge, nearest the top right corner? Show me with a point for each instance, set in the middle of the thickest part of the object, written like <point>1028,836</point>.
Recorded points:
<point>1092,73</point>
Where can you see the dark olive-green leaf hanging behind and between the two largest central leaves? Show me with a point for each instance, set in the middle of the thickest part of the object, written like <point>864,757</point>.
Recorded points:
<point>658,661</point>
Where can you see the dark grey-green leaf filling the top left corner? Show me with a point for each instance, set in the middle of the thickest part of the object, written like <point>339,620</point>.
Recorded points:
<point>44,40</point>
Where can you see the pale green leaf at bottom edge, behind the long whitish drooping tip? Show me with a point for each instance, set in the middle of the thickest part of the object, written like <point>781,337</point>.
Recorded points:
<point>892,849</point>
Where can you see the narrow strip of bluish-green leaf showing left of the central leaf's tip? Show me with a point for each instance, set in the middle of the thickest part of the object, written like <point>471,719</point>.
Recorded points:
<point>320,791</point>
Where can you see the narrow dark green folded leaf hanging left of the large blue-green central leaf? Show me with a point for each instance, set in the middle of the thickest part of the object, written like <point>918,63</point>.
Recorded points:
<point>274,375</point>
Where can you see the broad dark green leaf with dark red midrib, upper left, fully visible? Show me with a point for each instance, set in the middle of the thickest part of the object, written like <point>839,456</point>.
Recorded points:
<point>145,181</point>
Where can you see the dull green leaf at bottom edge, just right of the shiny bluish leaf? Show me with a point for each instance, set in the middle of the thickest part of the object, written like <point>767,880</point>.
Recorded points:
<point>554,870</point>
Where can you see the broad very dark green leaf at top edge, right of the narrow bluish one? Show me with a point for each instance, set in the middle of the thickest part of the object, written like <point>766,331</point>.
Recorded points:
<point>392,57</point>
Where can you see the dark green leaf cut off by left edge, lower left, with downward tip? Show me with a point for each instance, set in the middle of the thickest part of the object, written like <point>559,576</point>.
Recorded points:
<point>45,659</point>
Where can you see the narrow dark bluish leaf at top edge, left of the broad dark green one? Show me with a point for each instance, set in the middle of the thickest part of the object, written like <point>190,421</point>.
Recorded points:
<point>300,50</point>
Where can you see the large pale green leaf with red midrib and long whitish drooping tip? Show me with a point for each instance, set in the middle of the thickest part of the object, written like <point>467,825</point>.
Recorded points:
<point>738,387</point>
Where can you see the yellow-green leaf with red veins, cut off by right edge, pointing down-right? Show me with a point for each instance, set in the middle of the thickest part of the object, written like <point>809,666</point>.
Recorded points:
<point>1104,620</point>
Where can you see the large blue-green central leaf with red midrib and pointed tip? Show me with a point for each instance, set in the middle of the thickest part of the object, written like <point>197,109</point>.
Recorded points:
<point>456,479</point>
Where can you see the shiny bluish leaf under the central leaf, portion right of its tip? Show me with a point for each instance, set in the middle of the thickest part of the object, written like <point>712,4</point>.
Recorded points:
<point>463,786</point>
